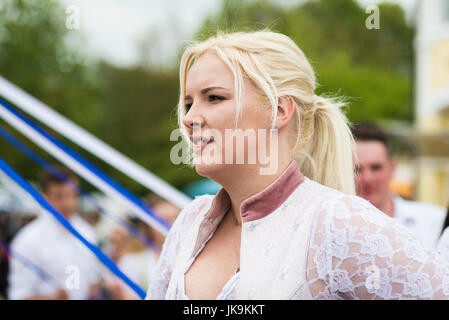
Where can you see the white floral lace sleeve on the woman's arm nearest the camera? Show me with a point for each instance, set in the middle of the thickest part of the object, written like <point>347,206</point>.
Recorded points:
<point>358,252</point>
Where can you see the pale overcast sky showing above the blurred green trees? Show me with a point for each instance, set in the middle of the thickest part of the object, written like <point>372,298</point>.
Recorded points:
<point>112,29</point>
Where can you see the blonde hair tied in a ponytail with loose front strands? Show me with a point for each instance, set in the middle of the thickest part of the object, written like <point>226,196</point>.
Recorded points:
<point>324,144</point>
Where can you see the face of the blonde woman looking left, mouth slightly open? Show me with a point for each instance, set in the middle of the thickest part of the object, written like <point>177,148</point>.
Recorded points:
<point>210,101</point>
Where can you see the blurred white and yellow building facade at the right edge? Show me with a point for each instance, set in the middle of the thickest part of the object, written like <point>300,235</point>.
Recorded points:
<point>432,101</point>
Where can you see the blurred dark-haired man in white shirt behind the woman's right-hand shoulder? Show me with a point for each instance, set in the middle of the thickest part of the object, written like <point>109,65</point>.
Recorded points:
<point>374,172</point>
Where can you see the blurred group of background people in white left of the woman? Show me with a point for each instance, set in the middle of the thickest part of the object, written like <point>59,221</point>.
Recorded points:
<point>40,260</point>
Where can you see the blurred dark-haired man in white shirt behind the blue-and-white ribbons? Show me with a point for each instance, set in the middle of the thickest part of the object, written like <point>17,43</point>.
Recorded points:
<point>74,270</point>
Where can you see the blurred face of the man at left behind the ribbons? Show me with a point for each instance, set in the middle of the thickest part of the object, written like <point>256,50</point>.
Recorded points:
<point>63,198</point>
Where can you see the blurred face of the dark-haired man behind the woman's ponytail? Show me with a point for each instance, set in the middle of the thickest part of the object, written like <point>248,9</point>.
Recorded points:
<point>374,172</point>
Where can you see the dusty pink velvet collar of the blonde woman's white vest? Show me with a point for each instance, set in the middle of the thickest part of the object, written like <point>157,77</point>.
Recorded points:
<point>263,203</point>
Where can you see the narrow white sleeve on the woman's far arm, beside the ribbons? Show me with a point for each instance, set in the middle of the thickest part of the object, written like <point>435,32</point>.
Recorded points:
<point>161,276</point>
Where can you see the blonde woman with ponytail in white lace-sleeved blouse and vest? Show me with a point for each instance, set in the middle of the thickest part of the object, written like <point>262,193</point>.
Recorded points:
<point>297,232</point>
